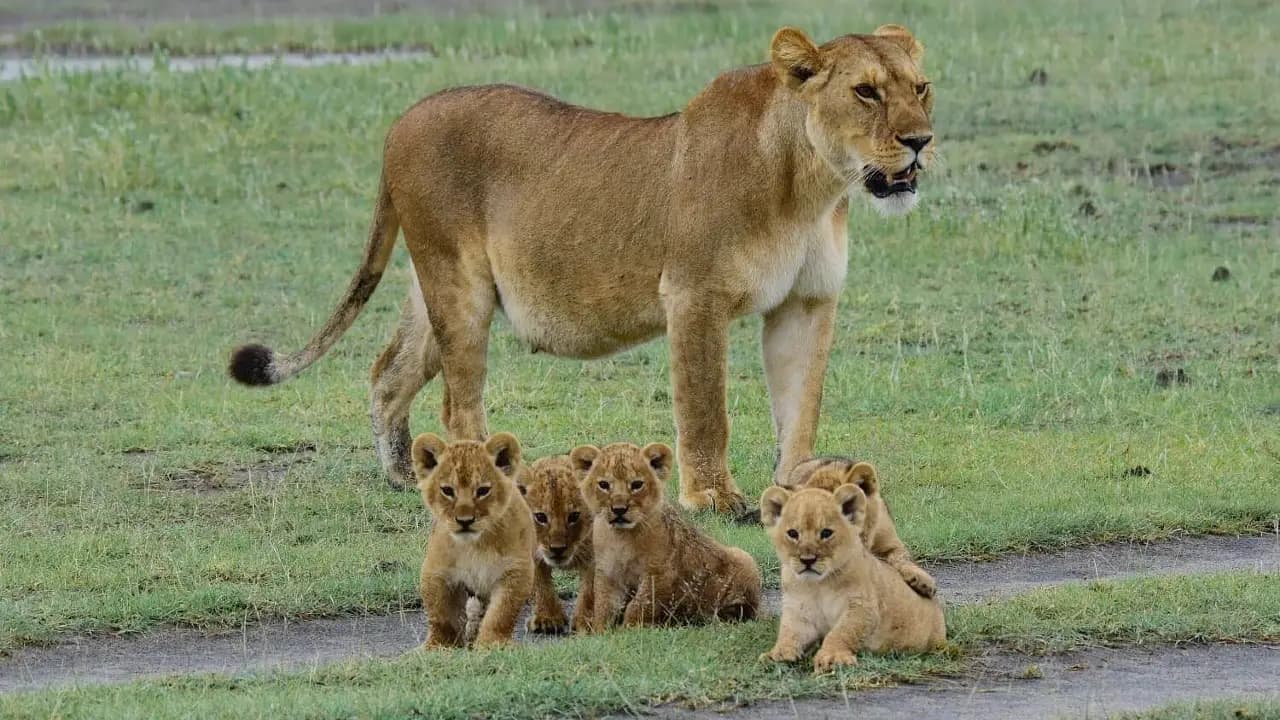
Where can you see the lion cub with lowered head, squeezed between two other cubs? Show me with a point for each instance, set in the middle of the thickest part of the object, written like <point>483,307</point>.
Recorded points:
<point>564,527</point>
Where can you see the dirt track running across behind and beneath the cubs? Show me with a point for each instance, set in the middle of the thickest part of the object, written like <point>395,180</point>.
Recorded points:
<point>281,644</point>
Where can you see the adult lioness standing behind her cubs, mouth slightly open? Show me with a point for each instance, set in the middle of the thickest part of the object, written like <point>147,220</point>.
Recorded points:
<point>595,233</point>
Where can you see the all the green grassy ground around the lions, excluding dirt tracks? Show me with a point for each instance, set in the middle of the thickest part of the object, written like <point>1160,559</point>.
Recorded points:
<point>1045,354</point>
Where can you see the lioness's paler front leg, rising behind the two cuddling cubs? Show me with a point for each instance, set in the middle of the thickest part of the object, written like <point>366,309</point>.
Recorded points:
<point>797,344</point>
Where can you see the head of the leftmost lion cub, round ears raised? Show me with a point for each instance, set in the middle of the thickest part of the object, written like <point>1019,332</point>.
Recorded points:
<point>467,484</point>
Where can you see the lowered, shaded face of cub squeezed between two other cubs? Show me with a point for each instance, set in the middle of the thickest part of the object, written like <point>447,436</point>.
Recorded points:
<point>561,517</point>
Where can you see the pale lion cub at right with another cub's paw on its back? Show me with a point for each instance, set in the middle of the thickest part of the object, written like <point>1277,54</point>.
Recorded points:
<point>834,590</point>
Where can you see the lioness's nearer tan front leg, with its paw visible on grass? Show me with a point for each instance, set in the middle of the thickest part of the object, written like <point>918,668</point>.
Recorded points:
<point>700,347</point>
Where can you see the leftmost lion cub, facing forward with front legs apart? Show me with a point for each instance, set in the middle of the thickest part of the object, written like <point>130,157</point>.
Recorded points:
<point>482,537</point>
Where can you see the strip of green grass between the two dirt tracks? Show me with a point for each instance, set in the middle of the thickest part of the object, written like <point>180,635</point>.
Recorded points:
<point>714,666</point>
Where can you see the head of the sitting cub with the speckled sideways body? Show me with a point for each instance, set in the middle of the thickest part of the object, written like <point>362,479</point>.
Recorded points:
<point>623,484</point>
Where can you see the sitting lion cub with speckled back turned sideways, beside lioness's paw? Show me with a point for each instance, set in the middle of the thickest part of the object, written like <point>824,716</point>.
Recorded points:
<point>652,564</point>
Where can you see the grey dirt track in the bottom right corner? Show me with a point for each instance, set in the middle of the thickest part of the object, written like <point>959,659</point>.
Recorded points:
<point>1095,683</point>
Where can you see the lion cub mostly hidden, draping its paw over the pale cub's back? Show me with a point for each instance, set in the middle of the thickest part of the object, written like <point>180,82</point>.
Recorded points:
<point>881,536</point>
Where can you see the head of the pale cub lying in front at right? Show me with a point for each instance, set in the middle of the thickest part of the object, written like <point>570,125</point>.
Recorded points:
<point>813,531</point>
